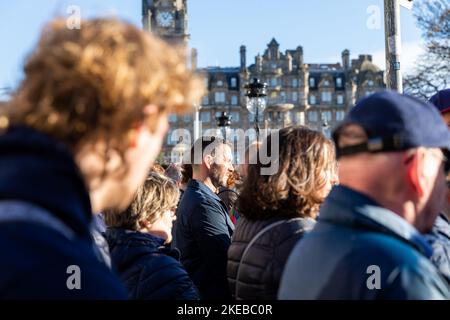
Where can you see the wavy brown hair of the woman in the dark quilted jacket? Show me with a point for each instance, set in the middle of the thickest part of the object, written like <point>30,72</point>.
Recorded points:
<point>305,157</point>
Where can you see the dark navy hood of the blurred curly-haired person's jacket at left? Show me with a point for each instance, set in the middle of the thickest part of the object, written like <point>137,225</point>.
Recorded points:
<point>38,169</point>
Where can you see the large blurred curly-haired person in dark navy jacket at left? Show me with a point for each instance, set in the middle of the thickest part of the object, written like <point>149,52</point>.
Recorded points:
<point>79,136</point>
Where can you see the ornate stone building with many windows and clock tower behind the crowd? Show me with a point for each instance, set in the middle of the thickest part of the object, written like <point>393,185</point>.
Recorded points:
<point>300,93</point>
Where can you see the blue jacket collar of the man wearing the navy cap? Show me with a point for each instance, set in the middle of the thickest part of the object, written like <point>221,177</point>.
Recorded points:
<point>347,206</point>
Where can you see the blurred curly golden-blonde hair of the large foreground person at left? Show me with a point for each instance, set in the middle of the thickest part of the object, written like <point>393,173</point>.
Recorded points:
<point>93,83</point>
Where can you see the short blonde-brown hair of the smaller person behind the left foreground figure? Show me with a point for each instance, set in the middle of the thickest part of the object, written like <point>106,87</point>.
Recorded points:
<point>157,195</point>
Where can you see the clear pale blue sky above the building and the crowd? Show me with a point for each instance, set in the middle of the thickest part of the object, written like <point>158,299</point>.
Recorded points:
<point>218,27</point>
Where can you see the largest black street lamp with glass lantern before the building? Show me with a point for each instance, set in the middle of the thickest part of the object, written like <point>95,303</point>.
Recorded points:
<point>256,93</point>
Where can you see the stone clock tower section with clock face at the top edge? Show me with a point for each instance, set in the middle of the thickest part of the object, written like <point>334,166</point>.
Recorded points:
<point>166,19</point>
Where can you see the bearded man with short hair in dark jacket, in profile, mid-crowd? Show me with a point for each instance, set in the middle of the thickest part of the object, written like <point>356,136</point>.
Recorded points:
<point>203,230</point>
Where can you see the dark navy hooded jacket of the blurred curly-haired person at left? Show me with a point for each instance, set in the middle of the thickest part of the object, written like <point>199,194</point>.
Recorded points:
<point>45,214</point>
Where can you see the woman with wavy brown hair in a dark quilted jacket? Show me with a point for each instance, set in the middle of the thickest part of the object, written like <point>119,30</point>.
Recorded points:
<point>276,210</point>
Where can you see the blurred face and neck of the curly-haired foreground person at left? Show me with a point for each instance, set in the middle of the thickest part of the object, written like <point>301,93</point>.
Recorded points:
<point>110,186</point>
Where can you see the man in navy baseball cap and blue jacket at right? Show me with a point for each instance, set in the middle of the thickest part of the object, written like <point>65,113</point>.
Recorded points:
<point>367,243</point>
